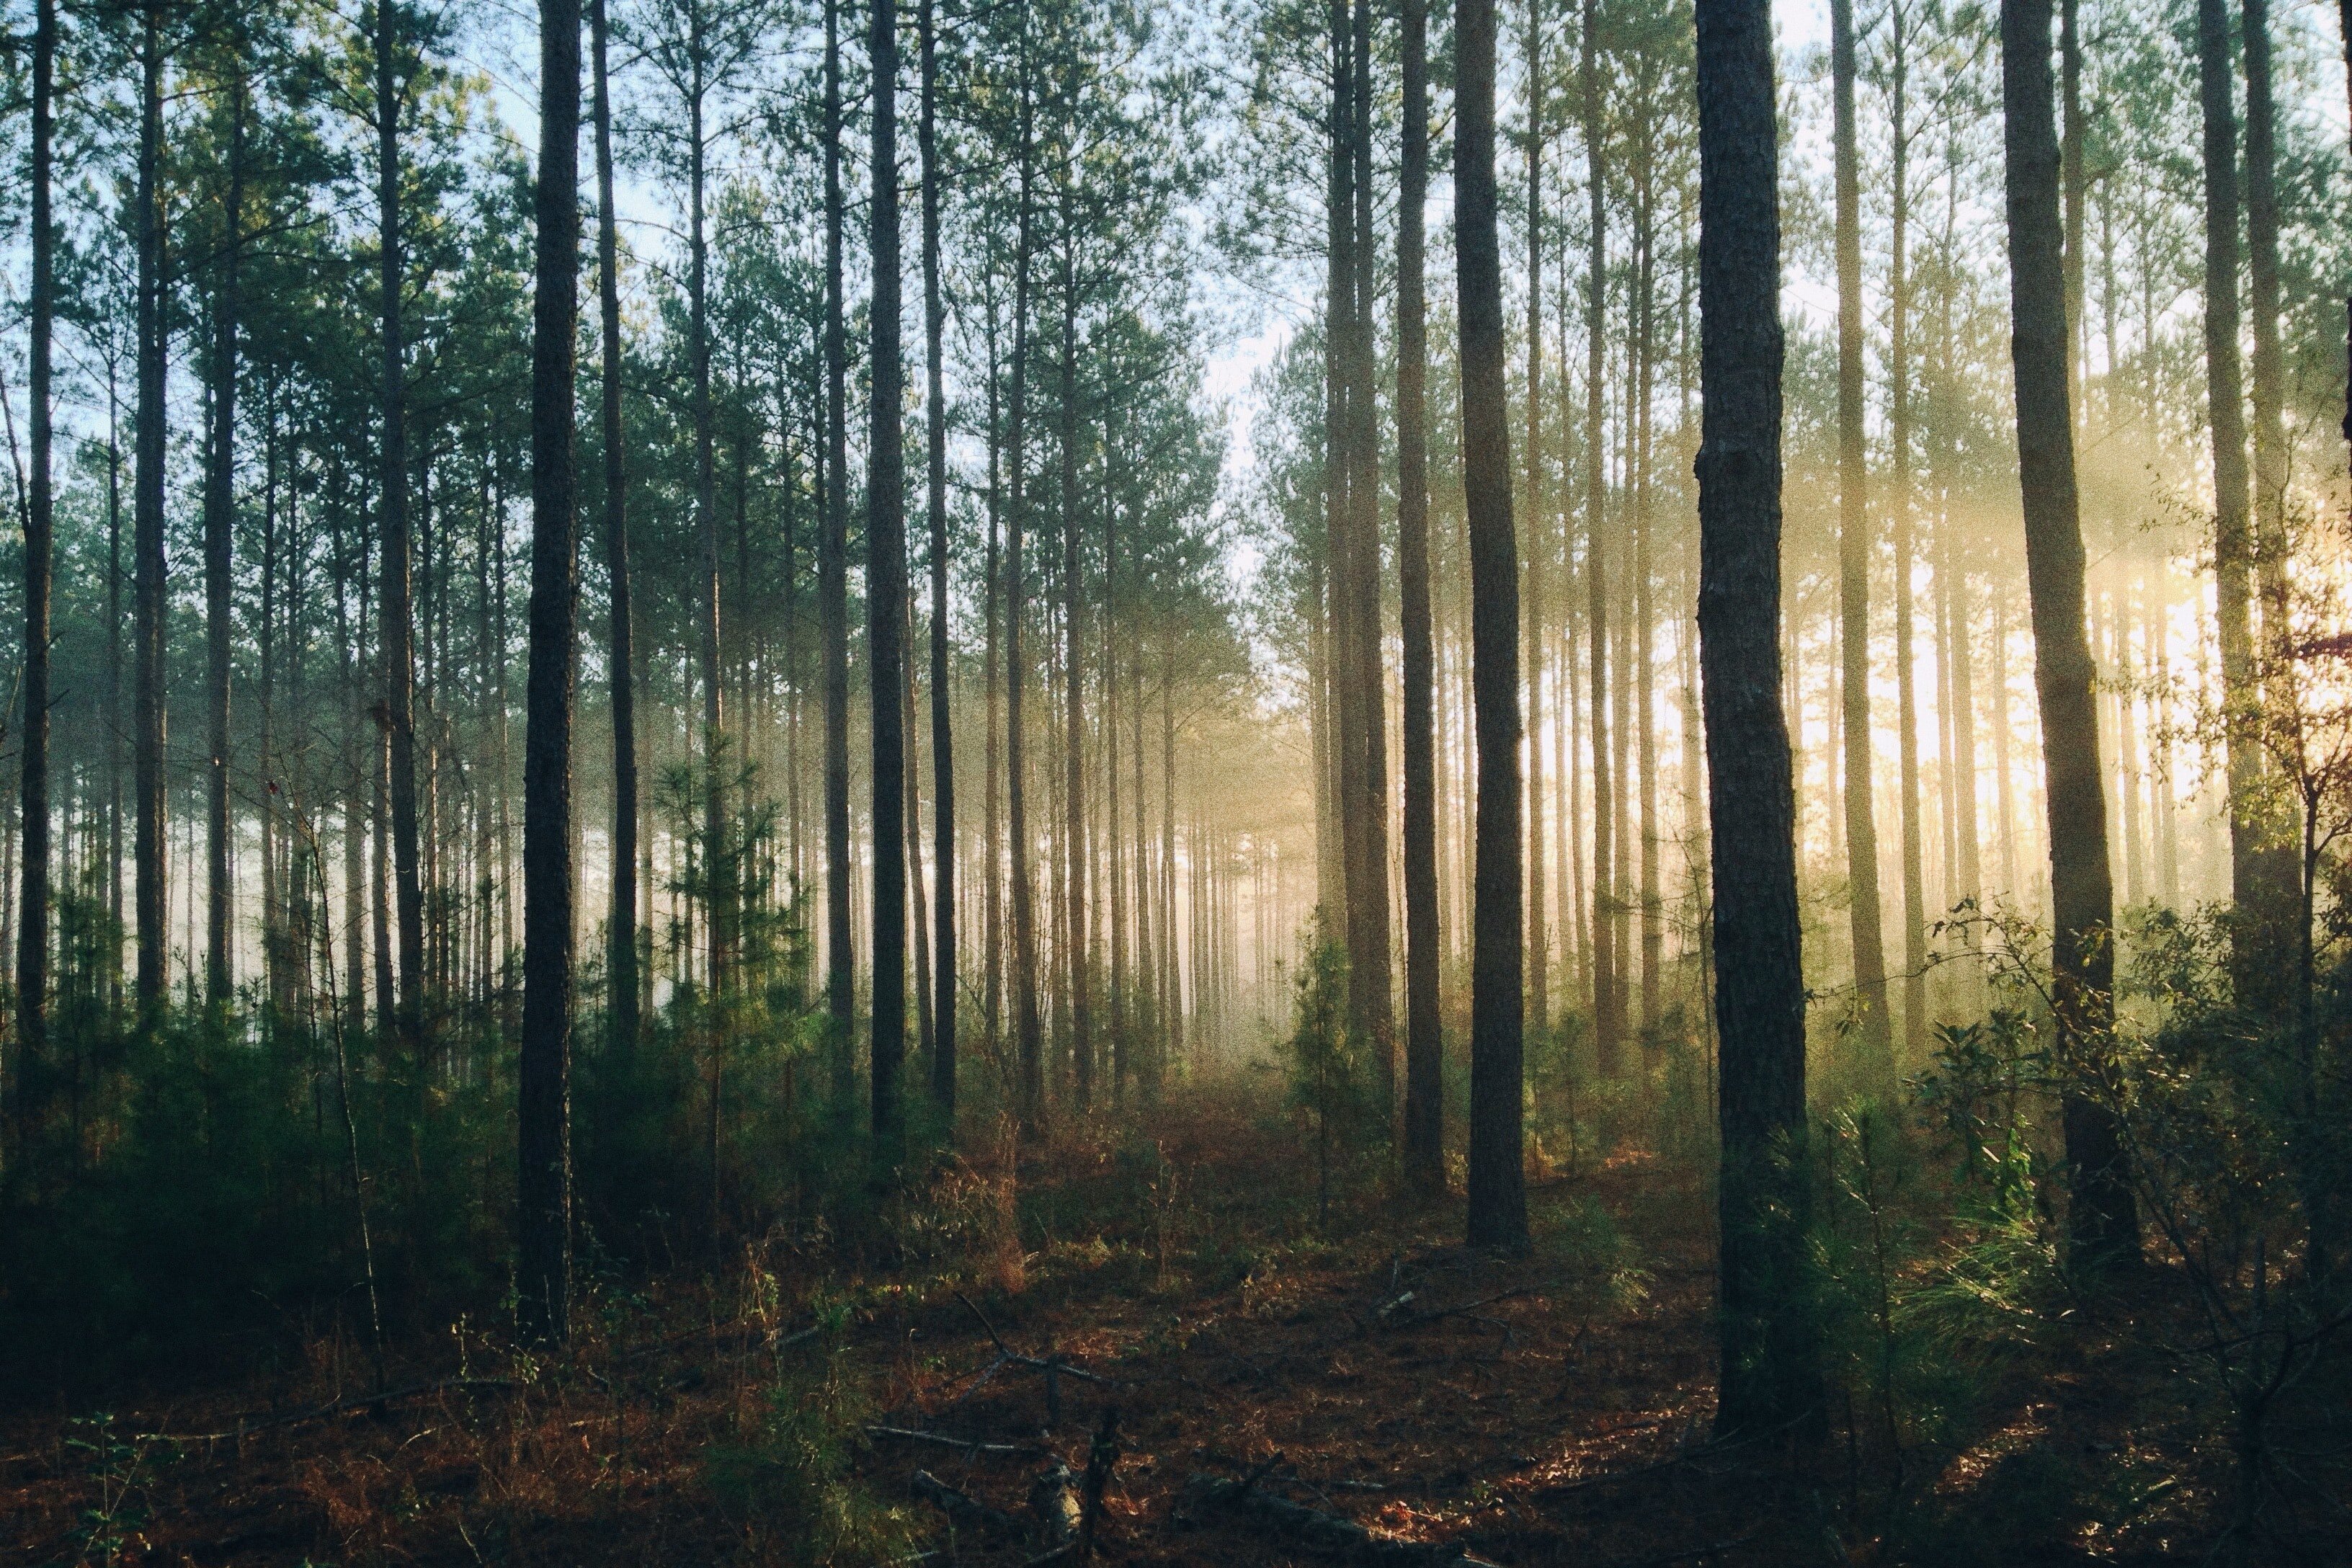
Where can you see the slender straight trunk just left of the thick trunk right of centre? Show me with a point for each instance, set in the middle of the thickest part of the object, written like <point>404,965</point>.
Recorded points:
<point>1424,1024</point>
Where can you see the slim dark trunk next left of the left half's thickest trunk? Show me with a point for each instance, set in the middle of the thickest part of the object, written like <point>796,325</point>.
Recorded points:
<point>396,619</point>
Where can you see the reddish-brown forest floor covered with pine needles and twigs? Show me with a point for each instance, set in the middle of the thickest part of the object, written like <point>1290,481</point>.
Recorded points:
<point>1549,1409</point>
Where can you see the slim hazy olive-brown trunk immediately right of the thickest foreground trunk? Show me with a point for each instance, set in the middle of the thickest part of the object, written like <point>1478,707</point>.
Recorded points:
<point>1855,575</point>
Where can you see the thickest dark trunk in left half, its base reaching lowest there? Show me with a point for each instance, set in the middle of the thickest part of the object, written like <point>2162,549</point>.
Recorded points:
<point>544,1080</point>
